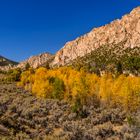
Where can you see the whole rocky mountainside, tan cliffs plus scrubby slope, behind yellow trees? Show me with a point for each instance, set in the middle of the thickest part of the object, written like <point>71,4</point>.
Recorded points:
<point>100,48</point>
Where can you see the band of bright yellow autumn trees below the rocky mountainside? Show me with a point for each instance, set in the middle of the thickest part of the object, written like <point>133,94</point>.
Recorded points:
<point>72,85</point>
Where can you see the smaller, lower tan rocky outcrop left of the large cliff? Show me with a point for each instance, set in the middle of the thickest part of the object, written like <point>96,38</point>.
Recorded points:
<point>36,61</point>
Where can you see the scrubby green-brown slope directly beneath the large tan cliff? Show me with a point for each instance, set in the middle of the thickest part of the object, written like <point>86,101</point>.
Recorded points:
<point>107,55</point>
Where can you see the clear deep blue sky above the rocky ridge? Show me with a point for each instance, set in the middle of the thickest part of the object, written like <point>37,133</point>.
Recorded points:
<point>29,27</point>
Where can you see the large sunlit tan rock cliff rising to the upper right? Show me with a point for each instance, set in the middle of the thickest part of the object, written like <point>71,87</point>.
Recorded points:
<point>126,29</point>
